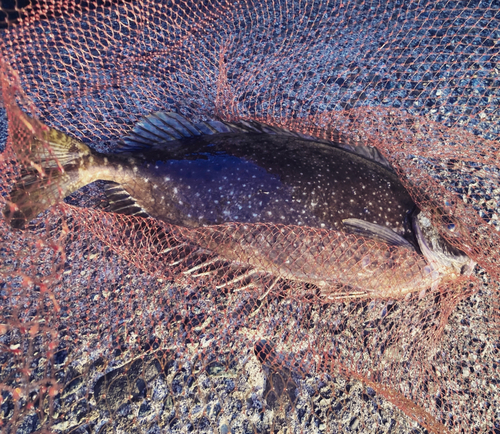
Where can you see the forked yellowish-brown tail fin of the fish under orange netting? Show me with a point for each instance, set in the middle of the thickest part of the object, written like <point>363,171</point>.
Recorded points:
<point>46,157</point>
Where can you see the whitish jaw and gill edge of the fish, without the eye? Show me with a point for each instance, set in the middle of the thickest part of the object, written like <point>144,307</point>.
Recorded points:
<point>441,255</point>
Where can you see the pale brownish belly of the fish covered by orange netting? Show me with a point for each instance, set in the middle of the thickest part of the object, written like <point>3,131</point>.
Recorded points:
<point>341,265</point>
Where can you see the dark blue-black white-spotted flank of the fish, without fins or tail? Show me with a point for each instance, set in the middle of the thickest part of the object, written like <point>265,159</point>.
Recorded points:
<point>252,177</point>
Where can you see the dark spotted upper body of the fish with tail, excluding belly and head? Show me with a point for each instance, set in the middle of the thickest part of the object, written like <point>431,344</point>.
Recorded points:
<point>210,173</point>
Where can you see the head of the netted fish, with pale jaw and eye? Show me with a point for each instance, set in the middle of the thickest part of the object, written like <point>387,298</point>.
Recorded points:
<point>432,237</point>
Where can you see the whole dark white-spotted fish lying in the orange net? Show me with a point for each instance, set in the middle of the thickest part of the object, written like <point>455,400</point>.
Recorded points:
<point>214,174</point>
